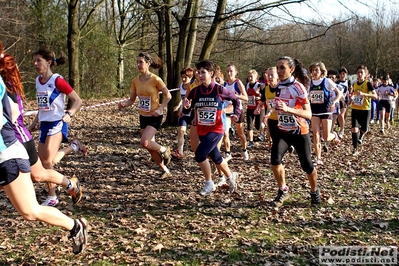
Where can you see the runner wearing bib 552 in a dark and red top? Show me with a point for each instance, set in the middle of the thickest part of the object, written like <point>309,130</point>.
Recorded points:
<point>206,100</point>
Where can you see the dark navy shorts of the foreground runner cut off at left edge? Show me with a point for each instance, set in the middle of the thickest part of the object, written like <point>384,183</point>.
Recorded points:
<point>9,170</point>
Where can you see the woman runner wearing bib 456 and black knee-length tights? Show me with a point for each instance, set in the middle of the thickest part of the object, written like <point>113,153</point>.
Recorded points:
<point>293,110</point>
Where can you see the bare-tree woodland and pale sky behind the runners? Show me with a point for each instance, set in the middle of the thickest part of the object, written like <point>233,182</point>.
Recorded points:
<point>103,37</point>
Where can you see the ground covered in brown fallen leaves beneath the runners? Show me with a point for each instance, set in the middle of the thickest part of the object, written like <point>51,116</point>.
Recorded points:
<point>137,218</point>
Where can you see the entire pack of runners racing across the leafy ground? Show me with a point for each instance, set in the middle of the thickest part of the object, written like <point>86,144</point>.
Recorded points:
<point>285,103</point>
